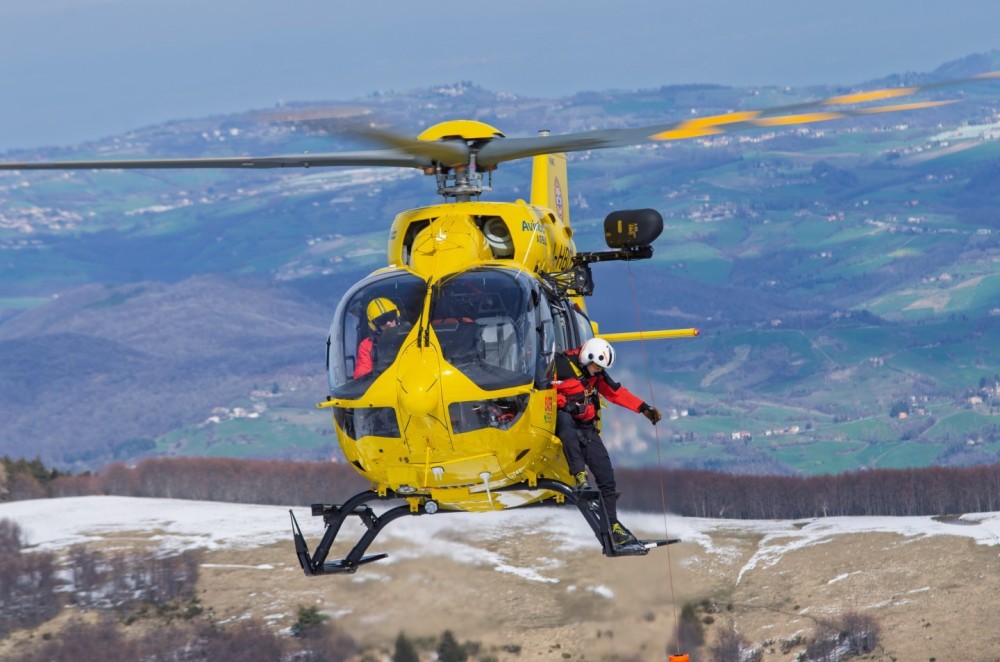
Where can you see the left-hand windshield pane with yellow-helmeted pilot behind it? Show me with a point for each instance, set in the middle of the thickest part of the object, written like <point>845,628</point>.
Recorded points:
<point>368,330</point>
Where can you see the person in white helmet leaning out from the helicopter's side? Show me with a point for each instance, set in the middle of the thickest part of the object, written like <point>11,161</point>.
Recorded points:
<point>580,378</point>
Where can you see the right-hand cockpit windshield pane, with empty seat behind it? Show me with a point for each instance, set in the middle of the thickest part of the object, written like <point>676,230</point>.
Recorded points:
<point>493,326</point>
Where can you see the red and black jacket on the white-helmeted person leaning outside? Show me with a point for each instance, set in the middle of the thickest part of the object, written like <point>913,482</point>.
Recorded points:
<point>576,389</point>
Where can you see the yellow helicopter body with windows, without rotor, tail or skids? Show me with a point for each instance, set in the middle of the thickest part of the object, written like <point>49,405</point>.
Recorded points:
<point>459,403</point>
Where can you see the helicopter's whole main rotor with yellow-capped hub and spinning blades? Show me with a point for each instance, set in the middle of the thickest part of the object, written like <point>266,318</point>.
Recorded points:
<point>459,151</point>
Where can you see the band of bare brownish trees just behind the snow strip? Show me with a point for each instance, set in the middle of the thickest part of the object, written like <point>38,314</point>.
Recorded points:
<point>933,491</point>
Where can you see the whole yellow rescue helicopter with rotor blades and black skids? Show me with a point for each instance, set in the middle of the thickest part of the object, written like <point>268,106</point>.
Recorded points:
<point>455,411</point>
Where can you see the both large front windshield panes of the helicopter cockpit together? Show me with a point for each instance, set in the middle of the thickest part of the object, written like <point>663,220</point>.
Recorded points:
<point>493,325</point>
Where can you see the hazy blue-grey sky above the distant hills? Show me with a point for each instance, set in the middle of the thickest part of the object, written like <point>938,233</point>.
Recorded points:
<point>73,70</point>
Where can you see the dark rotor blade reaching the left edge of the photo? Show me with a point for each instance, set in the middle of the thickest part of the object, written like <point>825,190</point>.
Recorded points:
<point>381,157</point>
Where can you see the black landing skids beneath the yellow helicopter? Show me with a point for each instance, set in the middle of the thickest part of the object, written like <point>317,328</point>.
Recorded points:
<point>590,503</point>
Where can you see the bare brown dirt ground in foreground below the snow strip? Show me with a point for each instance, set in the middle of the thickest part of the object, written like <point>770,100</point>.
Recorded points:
<point>934,597</point>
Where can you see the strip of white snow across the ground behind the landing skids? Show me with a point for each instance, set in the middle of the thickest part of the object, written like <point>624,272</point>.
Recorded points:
<point>53,524</point>
